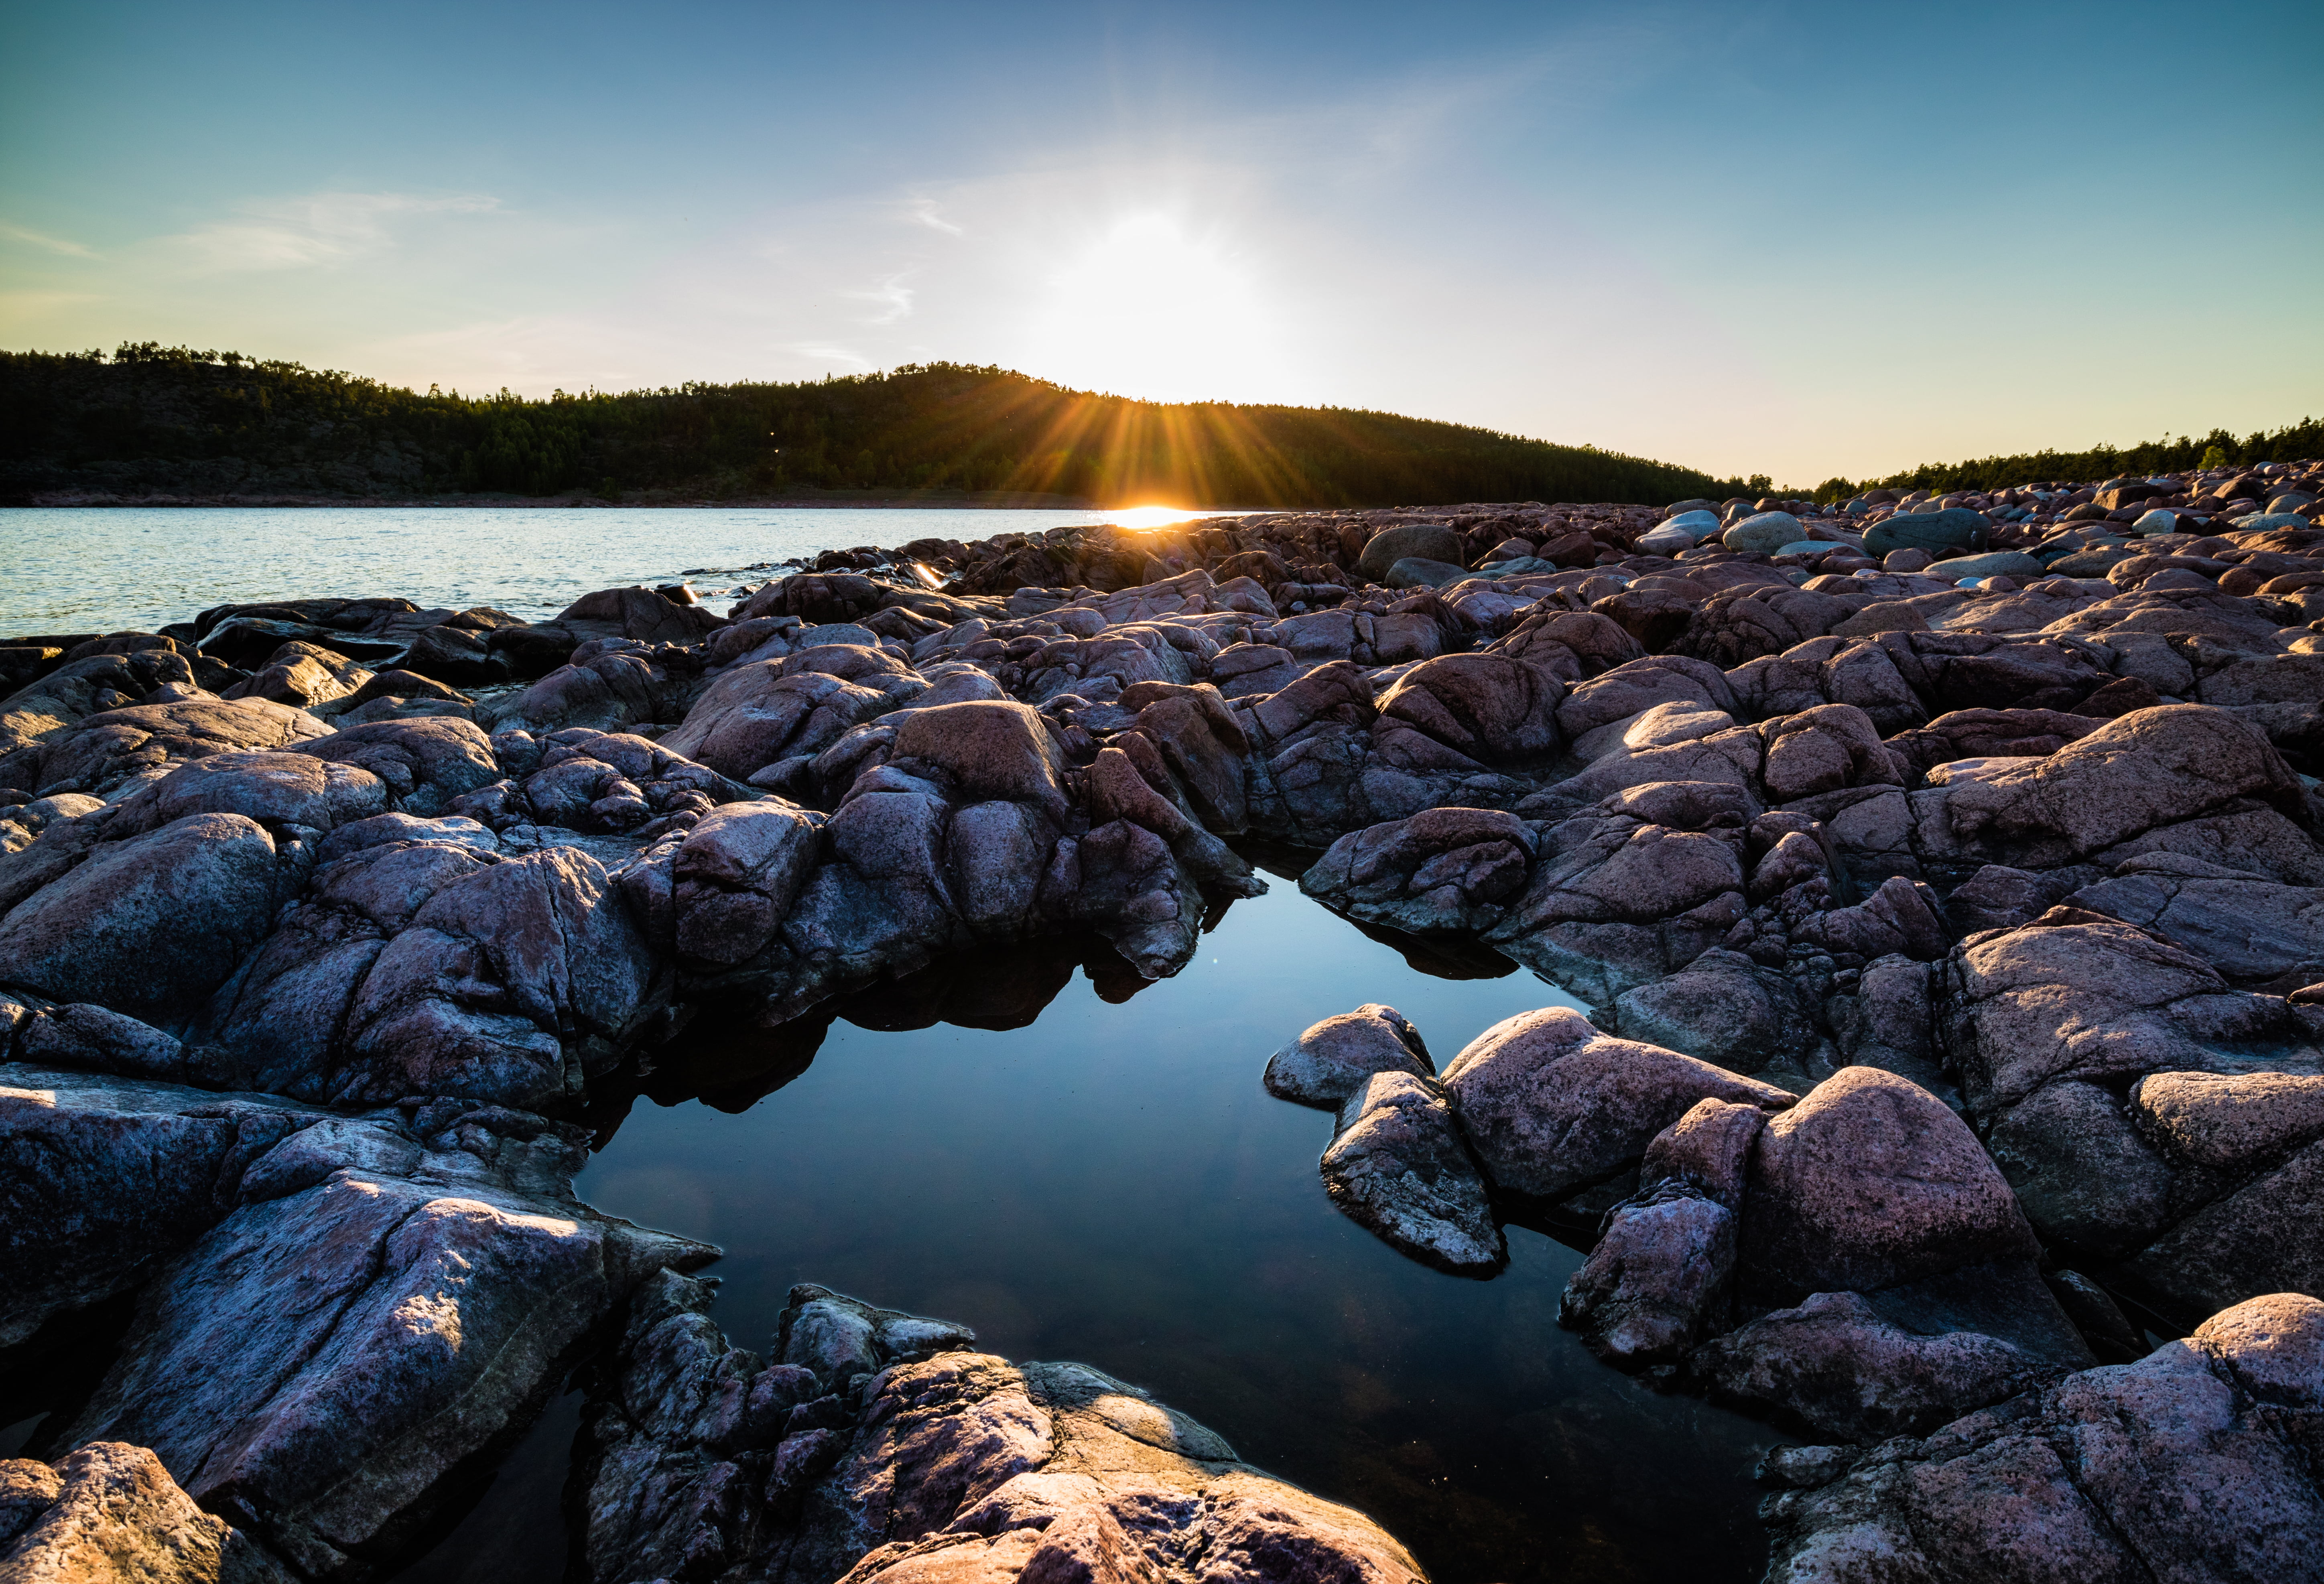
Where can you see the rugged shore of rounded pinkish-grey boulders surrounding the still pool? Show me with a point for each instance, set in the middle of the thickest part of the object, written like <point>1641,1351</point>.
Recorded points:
<point>1942,879</point>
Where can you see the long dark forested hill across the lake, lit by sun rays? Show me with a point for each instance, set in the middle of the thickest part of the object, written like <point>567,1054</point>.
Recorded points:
<point>182,424</point>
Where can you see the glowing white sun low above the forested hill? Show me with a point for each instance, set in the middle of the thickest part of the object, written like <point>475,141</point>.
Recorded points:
<point>1159,312</point>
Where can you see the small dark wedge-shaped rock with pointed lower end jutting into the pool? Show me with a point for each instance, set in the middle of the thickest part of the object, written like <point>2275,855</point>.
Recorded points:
<point>1400,1169</point>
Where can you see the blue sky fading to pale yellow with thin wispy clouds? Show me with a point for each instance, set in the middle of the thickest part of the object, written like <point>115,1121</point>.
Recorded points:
<point>1791,240</point>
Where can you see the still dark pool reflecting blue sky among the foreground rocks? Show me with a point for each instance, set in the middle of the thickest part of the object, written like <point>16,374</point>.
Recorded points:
<point>1114,1186</point>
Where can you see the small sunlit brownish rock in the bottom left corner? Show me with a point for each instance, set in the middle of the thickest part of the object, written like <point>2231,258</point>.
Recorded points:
<point>113,1513</point>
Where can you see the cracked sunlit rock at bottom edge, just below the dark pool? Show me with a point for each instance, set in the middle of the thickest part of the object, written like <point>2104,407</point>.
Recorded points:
<point>945,1464</point>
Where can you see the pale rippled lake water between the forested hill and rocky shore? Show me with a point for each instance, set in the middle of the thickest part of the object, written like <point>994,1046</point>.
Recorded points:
<point>120,568</point>
